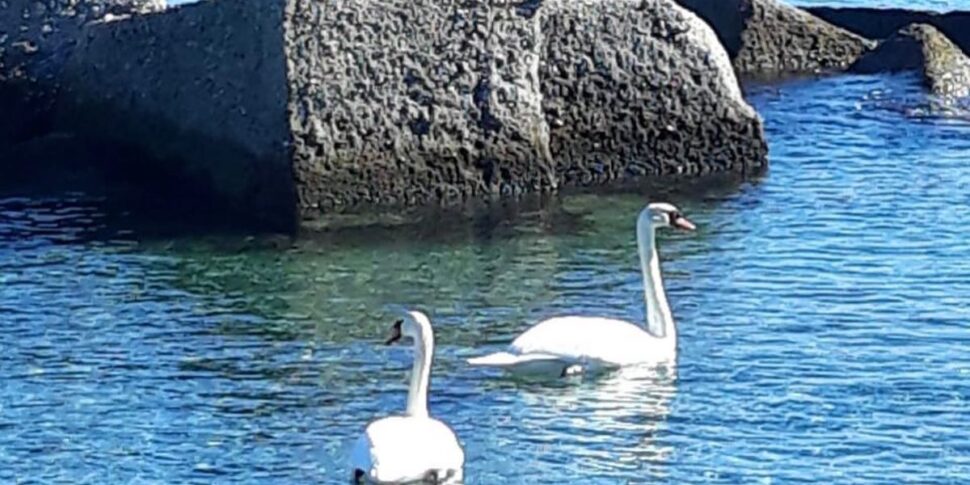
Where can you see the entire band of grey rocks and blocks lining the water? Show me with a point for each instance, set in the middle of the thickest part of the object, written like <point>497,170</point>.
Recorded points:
<point>289,111</point>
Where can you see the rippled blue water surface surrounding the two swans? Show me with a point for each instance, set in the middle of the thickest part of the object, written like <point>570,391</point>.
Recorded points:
<point>824,313</point>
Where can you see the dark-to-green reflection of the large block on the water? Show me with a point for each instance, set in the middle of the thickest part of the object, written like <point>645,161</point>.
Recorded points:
<point>334,285</point>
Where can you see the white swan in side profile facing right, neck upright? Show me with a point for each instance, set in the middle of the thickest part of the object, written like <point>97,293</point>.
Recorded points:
<point>574,344</point>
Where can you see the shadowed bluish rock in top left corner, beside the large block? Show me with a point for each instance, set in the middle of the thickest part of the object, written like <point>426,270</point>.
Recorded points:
<point>36,37</point>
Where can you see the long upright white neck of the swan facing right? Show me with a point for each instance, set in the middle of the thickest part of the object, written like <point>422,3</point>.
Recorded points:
<point>660,322</point>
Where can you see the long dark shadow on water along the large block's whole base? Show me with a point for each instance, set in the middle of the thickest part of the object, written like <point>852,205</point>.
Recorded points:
<point>60,170</point>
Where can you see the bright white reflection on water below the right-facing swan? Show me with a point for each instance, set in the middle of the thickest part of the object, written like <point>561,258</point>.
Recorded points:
<point>609,423</point>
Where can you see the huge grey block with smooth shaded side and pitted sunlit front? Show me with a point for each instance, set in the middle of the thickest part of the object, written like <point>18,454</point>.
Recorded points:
<point>290,109</point>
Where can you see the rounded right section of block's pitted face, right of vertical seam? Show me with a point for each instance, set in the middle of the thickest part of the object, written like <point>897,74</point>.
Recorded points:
<point>637,88</point>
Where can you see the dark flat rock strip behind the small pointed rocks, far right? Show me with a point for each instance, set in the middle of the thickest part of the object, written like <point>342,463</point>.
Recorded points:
<point>878,23</point>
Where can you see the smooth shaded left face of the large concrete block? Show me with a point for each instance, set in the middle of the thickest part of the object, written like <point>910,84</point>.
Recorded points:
<point>202,90</point>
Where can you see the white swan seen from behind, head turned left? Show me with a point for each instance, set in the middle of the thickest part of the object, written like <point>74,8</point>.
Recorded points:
<point>414,447</point>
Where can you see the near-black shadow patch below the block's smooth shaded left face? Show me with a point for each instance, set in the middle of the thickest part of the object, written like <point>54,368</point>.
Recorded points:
<point>137,199</point>
